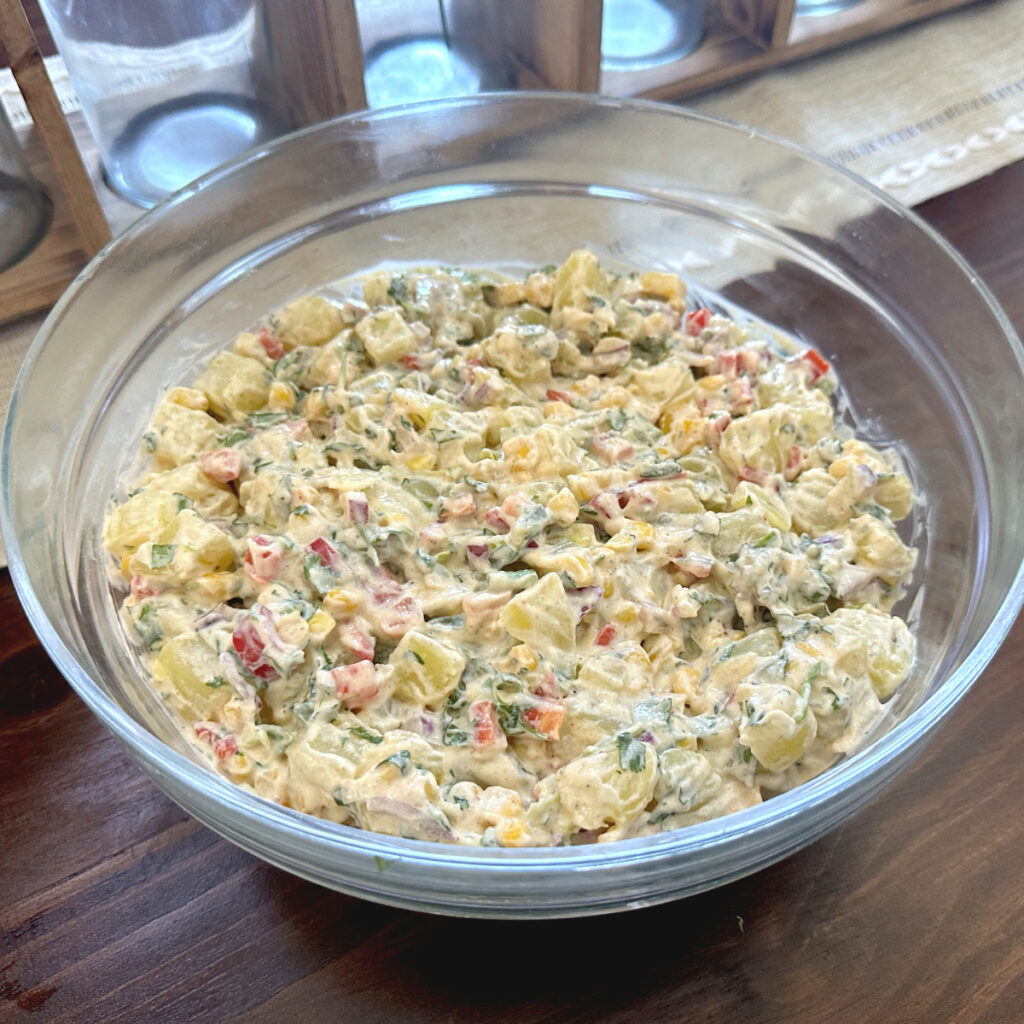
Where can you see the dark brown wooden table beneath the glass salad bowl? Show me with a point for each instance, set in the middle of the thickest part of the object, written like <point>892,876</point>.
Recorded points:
<point>115,907</point>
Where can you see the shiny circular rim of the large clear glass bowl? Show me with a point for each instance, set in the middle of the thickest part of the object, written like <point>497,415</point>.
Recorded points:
<point>858,772</point>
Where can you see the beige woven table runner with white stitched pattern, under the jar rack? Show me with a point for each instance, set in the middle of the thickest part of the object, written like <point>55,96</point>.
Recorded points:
<point>919,112</point>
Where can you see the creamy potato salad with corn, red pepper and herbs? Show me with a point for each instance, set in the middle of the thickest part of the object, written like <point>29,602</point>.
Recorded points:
<point>515,563</point>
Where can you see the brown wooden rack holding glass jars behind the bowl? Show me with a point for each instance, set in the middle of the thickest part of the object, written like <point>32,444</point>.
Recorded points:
<point>315,46</point>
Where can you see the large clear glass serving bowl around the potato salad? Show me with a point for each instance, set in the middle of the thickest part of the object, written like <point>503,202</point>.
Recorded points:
<point>753,224</point>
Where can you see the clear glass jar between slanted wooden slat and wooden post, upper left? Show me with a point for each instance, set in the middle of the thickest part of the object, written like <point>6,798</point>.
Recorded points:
<point>168,88</point>
